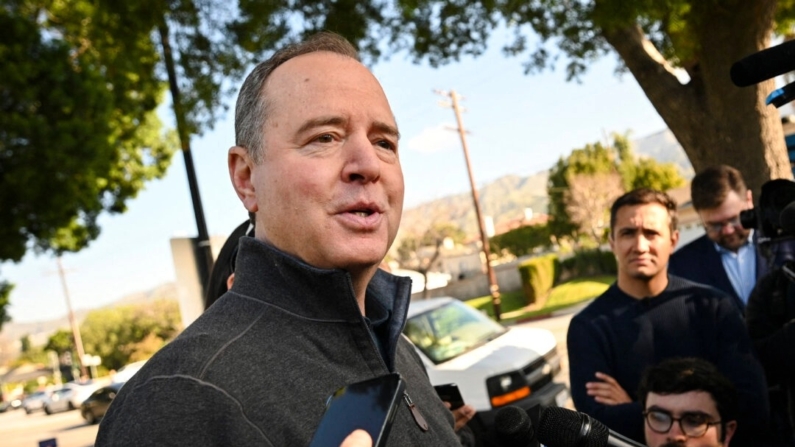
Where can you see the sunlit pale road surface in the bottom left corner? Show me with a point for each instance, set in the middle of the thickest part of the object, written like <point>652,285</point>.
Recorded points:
<point>18,429</point>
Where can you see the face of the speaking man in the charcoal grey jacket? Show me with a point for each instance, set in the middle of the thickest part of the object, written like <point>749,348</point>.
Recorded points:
<point>329,189</point>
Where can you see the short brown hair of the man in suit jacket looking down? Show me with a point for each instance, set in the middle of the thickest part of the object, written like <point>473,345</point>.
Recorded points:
<point>711,186</point>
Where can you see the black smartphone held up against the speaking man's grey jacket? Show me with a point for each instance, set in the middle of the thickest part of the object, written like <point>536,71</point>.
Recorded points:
<point>369,405</point>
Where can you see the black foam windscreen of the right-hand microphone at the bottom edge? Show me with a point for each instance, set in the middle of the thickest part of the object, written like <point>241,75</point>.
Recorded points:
<point>564,428</point>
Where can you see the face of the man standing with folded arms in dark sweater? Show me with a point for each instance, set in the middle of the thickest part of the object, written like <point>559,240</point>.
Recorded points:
<point>642,241</point>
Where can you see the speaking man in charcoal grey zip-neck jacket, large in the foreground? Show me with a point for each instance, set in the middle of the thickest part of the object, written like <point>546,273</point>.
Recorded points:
<point>316,160</point>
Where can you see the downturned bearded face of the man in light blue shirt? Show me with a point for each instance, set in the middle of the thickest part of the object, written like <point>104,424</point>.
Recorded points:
<point>723,223</point>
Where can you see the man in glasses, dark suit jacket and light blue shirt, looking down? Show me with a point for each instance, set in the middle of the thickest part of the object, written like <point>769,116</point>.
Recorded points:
<point>725,257</point>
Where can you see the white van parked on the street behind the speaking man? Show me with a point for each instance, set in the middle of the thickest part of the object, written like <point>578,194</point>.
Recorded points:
<point>492,365</point>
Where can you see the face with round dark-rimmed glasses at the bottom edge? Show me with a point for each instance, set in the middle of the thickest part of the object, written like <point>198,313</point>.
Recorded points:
<point>699,412</point>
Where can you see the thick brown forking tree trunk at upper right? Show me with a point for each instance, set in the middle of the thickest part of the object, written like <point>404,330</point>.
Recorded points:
<point>715,121</point>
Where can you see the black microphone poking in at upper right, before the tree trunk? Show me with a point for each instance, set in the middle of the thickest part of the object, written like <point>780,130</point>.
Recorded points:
<point>764,65</point>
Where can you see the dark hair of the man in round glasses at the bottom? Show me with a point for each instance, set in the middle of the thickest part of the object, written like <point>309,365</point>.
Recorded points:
<point>682,375</point>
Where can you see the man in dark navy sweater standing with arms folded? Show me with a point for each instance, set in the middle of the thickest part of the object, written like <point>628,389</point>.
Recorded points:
<point>647,316</point>
